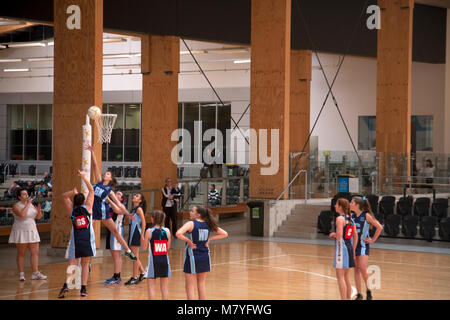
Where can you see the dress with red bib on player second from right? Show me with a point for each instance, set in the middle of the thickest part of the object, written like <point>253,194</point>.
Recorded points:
<point>343,256</point>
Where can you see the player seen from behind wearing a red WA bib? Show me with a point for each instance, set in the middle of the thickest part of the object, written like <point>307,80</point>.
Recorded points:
<point>158,241</point>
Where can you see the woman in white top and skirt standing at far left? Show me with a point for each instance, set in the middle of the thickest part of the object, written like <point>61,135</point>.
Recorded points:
<point>25,235</point>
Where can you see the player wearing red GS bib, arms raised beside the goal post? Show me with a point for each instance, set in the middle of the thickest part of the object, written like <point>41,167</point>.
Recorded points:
<point>82,238</point>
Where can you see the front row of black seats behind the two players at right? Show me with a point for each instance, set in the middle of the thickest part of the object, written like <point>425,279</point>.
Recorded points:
<point>410,226</point>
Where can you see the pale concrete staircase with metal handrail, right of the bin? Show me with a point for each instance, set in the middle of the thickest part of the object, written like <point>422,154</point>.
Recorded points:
<point>301,223</point>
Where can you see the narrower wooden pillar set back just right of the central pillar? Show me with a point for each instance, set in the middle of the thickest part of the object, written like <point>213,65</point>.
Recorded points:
<point>299,126</point>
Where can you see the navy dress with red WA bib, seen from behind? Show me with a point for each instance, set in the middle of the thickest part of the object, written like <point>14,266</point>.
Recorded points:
<point>158,259</point>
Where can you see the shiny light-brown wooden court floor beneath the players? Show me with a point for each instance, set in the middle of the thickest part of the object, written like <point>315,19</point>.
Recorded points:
<point>253,270</point>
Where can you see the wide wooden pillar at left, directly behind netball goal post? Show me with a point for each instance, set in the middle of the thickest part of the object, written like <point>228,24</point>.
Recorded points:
<point>77,86</point>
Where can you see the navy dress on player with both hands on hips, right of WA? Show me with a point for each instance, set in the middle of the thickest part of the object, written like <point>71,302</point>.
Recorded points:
<point>198,260</point>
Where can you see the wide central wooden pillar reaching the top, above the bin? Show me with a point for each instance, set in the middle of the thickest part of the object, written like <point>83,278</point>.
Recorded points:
<point>269,94</point>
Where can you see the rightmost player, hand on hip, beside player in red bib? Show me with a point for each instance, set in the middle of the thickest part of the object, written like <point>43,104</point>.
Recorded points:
<point>364,219</point>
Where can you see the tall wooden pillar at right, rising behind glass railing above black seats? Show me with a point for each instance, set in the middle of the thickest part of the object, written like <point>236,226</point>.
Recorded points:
<point>393,133</point>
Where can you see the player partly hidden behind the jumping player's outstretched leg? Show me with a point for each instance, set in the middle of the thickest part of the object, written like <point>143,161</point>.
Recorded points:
<point>112,244</point>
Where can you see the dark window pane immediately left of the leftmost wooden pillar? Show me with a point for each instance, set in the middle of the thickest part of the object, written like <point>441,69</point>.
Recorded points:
<point>45,131</point>
